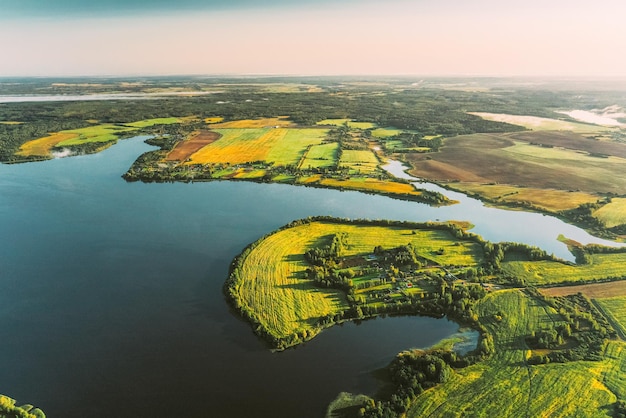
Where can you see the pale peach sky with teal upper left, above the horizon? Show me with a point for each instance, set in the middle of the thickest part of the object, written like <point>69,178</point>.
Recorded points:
<point>312,37</point>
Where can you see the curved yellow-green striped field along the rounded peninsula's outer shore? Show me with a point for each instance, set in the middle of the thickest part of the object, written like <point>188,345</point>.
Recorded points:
<point>285,302</point>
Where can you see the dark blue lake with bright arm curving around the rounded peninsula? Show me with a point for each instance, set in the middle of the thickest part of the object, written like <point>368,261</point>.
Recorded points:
<point>112,300</point>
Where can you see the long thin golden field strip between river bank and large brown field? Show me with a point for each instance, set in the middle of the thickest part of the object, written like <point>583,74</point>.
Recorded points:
<point>549,199</point>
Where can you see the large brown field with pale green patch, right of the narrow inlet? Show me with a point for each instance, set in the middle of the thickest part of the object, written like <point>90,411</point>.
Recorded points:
<point>486,158</point>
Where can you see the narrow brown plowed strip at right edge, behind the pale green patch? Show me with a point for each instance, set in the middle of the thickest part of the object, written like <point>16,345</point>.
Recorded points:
<point>574,141</point>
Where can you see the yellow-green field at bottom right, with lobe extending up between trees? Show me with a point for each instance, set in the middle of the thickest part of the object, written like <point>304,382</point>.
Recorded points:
<point>507,382</point>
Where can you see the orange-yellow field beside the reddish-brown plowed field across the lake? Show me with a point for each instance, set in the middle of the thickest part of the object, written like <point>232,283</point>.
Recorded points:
<point>238,146</point>
